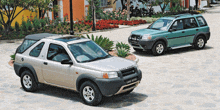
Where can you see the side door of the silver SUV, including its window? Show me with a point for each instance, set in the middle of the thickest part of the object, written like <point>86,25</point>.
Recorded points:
<point>54,72</point>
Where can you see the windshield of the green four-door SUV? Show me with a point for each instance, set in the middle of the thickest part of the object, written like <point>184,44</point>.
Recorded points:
<point>161,24</point>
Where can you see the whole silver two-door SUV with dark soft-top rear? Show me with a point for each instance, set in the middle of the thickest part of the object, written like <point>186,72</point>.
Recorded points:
<point>74,63</point>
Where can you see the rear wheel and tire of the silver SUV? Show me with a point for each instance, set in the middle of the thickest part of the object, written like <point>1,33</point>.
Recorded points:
<point>28,81</point>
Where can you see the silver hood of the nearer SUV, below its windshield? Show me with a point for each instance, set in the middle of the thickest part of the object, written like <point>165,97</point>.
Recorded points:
<point>109,64</point>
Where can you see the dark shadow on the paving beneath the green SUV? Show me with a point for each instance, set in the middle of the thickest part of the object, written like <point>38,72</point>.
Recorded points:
<point>170,52</point>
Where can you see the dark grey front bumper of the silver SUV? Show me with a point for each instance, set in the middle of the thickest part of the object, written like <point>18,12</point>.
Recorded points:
<point>109,87</point>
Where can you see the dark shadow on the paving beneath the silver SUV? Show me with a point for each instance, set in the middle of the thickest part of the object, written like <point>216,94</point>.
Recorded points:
<point>117,101</point>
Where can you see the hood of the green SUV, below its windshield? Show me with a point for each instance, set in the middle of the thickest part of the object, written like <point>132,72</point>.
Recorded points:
<point>147,31</point>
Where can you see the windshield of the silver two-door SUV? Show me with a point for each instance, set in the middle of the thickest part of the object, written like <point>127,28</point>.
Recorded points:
<point>87,51</point>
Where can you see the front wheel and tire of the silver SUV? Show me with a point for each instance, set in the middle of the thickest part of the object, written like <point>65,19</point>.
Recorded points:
<point>90,93</point>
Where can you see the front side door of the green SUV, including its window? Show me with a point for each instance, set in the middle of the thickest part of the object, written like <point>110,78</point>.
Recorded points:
<point>176,36</point>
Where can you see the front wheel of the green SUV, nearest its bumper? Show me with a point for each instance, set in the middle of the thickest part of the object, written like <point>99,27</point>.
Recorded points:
<point>158,48</point>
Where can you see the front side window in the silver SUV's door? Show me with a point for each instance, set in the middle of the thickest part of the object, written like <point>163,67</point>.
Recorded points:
<point>57,53</point>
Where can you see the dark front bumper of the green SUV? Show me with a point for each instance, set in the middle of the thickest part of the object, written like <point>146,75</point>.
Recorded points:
<point>142,44</point>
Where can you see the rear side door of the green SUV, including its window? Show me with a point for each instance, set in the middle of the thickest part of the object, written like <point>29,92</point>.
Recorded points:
<point>191,28</point>
